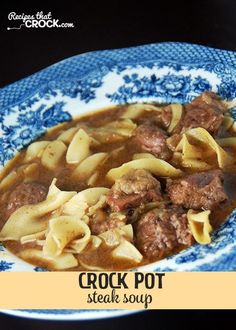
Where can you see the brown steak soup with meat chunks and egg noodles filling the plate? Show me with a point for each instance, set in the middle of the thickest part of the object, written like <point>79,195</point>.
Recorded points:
<point>122,187</point>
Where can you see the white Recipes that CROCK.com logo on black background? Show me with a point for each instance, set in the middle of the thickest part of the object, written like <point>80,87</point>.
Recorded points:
<point>39,20</point>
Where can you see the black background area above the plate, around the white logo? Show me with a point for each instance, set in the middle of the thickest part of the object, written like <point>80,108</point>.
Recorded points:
<point>114,25</point>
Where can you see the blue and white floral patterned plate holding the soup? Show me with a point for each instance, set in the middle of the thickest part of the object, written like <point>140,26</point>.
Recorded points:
<point>165,72</point>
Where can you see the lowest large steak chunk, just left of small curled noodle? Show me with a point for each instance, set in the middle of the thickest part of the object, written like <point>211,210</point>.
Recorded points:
<point>160,231</point>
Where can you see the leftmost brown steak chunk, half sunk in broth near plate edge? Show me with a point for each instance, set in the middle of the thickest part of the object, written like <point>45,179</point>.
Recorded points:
<point>23,194</point>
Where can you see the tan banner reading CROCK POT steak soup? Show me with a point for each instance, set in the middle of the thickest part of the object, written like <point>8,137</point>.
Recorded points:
<point>131,290</point>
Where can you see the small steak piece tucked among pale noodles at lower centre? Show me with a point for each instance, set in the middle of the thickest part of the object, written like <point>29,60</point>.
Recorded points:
<point>101,222</point>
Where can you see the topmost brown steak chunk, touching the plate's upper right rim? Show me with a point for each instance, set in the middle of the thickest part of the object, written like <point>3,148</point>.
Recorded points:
<point>205,111</point>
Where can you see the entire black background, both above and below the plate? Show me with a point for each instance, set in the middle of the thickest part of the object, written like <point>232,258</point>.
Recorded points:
<point>114,24</point>
